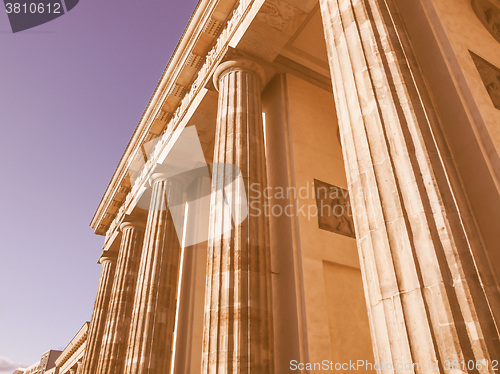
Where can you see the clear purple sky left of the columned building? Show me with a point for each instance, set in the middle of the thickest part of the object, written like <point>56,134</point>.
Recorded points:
<point>72,92</point>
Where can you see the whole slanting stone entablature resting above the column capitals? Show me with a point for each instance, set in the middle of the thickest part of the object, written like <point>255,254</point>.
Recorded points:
<point>279,19</point>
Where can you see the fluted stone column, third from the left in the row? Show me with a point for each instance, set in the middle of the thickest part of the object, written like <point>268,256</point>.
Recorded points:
<point>153,318</point>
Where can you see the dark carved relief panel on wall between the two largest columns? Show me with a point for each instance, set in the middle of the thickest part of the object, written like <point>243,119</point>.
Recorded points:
<point>334,209</point>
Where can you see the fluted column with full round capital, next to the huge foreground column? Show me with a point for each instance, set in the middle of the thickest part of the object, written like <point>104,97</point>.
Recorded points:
<point>238,321</point>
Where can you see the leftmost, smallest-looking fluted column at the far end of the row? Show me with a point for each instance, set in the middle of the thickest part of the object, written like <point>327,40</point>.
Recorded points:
<point>101,306</point>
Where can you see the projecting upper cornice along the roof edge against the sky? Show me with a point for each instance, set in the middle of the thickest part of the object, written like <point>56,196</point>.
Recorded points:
<point>205,25</point>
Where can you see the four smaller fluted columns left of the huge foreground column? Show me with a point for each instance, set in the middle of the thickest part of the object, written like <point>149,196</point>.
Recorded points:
<point>133,322</point>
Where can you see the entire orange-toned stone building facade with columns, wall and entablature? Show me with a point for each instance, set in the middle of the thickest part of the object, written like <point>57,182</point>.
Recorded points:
<point>380,99</point>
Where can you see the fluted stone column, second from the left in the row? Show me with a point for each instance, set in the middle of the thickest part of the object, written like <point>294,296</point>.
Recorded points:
<point>114,346</point>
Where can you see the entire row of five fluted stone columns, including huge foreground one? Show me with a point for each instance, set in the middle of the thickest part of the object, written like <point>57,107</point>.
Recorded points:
<point>425,297</point>
